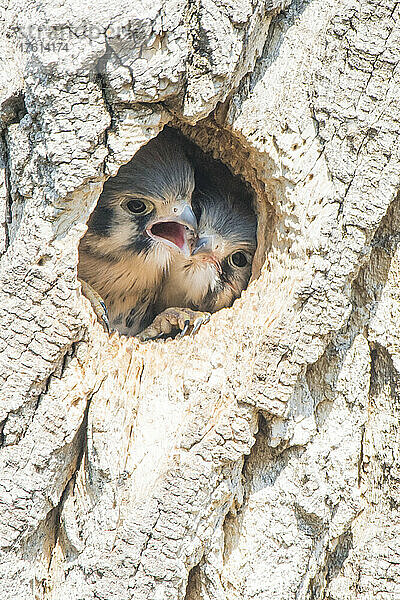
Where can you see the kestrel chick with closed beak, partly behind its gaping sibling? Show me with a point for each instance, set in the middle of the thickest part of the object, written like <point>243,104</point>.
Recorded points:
<point>218,269</point>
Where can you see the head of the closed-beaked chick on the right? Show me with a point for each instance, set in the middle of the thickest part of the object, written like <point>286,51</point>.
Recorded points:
<point>225,246</point>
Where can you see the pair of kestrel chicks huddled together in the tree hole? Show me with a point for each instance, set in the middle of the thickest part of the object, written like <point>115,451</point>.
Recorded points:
<point>167,244</point>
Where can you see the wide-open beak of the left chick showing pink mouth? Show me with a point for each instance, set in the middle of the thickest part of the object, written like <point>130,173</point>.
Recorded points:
<point>173,230</point>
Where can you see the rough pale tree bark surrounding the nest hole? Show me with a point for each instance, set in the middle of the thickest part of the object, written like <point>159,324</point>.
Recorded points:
<point>259,460</point>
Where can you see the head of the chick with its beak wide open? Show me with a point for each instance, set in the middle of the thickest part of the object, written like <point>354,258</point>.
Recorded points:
<point>147,208</point>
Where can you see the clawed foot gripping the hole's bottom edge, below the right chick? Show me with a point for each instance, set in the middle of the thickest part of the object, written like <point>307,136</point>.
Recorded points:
<point>184,319</point>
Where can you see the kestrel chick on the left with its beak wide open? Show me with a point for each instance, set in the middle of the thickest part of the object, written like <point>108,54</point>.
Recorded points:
<point>142,221</point>
